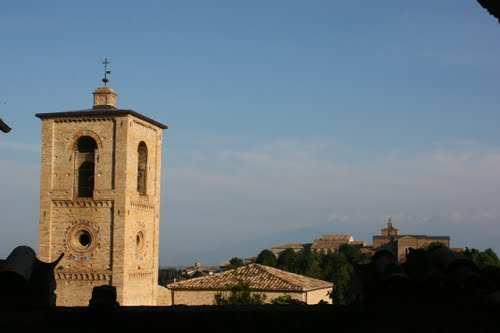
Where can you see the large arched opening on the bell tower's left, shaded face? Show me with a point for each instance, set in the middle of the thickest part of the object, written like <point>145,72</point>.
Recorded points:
<point>85,160</point>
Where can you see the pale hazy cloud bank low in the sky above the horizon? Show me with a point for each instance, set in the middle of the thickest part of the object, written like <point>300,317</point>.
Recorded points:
<point>220,202</point>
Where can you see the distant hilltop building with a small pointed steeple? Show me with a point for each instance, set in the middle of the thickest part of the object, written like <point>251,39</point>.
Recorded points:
<point>390,236</point>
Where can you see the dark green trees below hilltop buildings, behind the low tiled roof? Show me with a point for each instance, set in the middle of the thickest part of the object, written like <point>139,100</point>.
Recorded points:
<point>347,268</point>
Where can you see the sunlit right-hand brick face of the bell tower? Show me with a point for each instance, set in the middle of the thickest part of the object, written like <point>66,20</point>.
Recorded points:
<point>142,218</point>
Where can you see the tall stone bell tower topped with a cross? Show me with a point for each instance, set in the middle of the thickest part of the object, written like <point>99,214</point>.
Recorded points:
<point>100,200</point>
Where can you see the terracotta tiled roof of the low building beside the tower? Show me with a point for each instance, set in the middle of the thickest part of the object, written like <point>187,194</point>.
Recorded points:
<point>258,277</point>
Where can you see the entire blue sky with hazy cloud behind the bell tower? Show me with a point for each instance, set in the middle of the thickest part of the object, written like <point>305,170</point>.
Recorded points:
<point>288,119</point>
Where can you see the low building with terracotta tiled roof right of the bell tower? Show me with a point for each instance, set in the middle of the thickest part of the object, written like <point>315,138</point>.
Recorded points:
<point>261,279</point>
